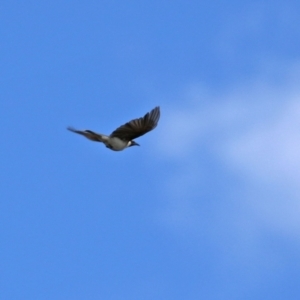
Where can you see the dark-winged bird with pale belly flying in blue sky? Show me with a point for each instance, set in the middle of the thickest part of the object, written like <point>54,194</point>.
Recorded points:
<point>123,137</point>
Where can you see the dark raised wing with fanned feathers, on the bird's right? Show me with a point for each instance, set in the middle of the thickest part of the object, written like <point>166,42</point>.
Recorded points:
<point>138,127</point>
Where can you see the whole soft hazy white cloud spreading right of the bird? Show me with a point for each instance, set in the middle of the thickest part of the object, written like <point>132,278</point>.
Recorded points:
<point>251,132</point>
